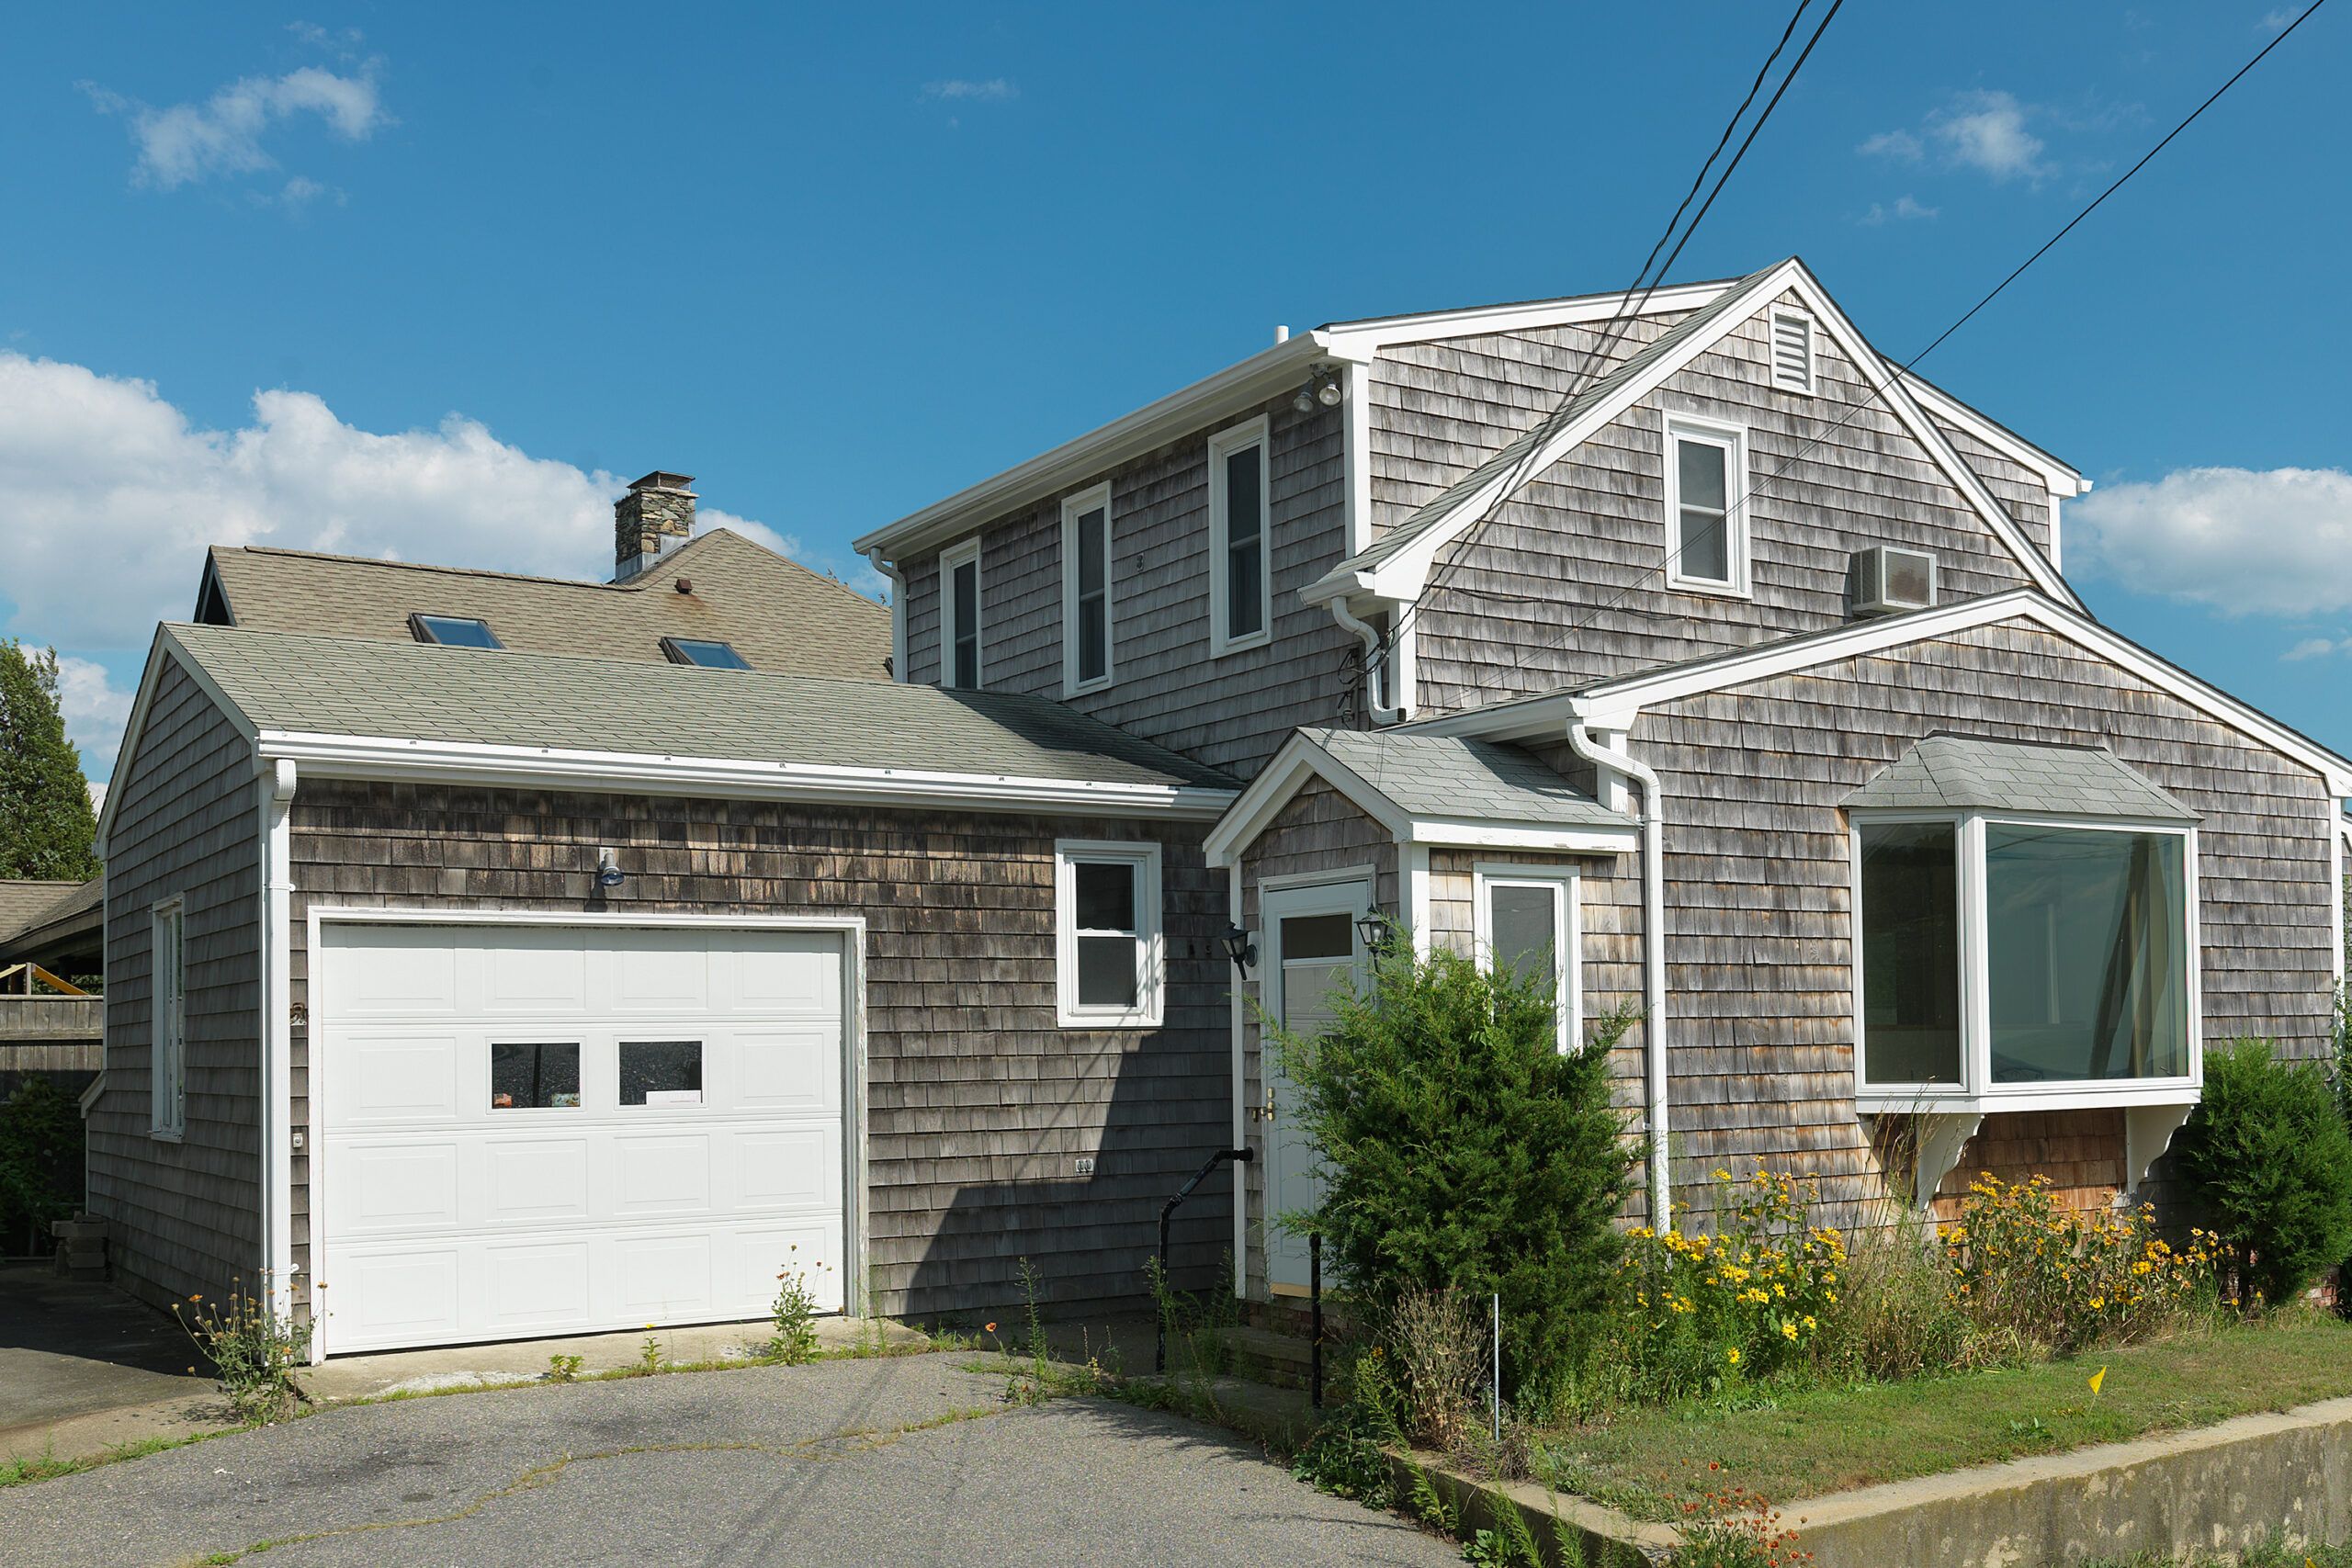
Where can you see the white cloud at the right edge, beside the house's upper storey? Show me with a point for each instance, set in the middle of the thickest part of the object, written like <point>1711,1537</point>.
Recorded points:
<point>2243,542</point>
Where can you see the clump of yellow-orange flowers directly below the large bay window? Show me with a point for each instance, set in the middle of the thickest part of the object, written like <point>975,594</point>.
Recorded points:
<point>2057,1278</point>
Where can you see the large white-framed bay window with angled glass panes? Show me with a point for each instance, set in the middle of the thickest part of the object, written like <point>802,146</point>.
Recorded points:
<point>2024,960</point>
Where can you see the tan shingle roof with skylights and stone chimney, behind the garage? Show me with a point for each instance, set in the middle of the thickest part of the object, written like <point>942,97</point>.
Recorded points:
<point>780,617</point>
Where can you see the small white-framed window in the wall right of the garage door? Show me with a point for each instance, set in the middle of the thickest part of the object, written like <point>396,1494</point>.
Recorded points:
<point>1107,934</point>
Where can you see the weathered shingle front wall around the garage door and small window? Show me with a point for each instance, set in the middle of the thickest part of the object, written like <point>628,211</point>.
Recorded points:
<point>977,1101</point>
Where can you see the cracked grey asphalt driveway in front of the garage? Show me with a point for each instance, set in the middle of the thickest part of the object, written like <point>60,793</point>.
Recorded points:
<point>895,1461</point>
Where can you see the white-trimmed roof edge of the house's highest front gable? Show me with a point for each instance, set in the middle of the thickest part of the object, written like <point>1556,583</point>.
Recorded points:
<point>1398,563</point>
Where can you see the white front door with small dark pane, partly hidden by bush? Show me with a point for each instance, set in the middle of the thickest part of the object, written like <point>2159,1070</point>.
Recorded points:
<point>1314,953</point>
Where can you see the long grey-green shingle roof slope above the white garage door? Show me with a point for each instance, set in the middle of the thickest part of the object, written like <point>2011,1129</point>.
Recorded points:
<point>427,692</point>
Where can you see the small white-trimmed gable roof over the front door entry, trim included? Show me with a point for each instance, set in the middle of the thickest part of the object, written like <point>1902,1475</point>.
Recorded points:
<point>1426,791</point>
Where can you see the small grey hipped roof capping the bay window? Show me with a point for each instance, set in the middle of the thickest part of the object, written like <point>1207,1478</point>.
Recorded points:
<point>1967,775</point>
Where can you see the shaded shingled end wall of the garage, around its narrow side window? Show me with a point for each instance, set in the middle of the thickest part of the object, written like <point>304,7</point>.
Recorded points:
<point>187,1217</point>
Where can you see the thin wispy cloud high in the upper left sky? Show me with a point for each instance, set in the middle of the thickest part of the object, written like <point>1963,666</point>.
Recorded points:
<point>222,135</point>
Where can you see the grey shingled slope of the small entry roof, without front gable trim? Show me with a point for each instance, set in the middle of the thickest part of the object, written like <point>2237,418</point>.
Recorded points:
<point>1462,779</point>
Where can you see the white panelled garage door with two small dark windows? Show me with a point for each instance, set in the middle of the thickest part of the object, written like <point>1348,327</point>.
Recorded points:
<point>561,1130</point>
